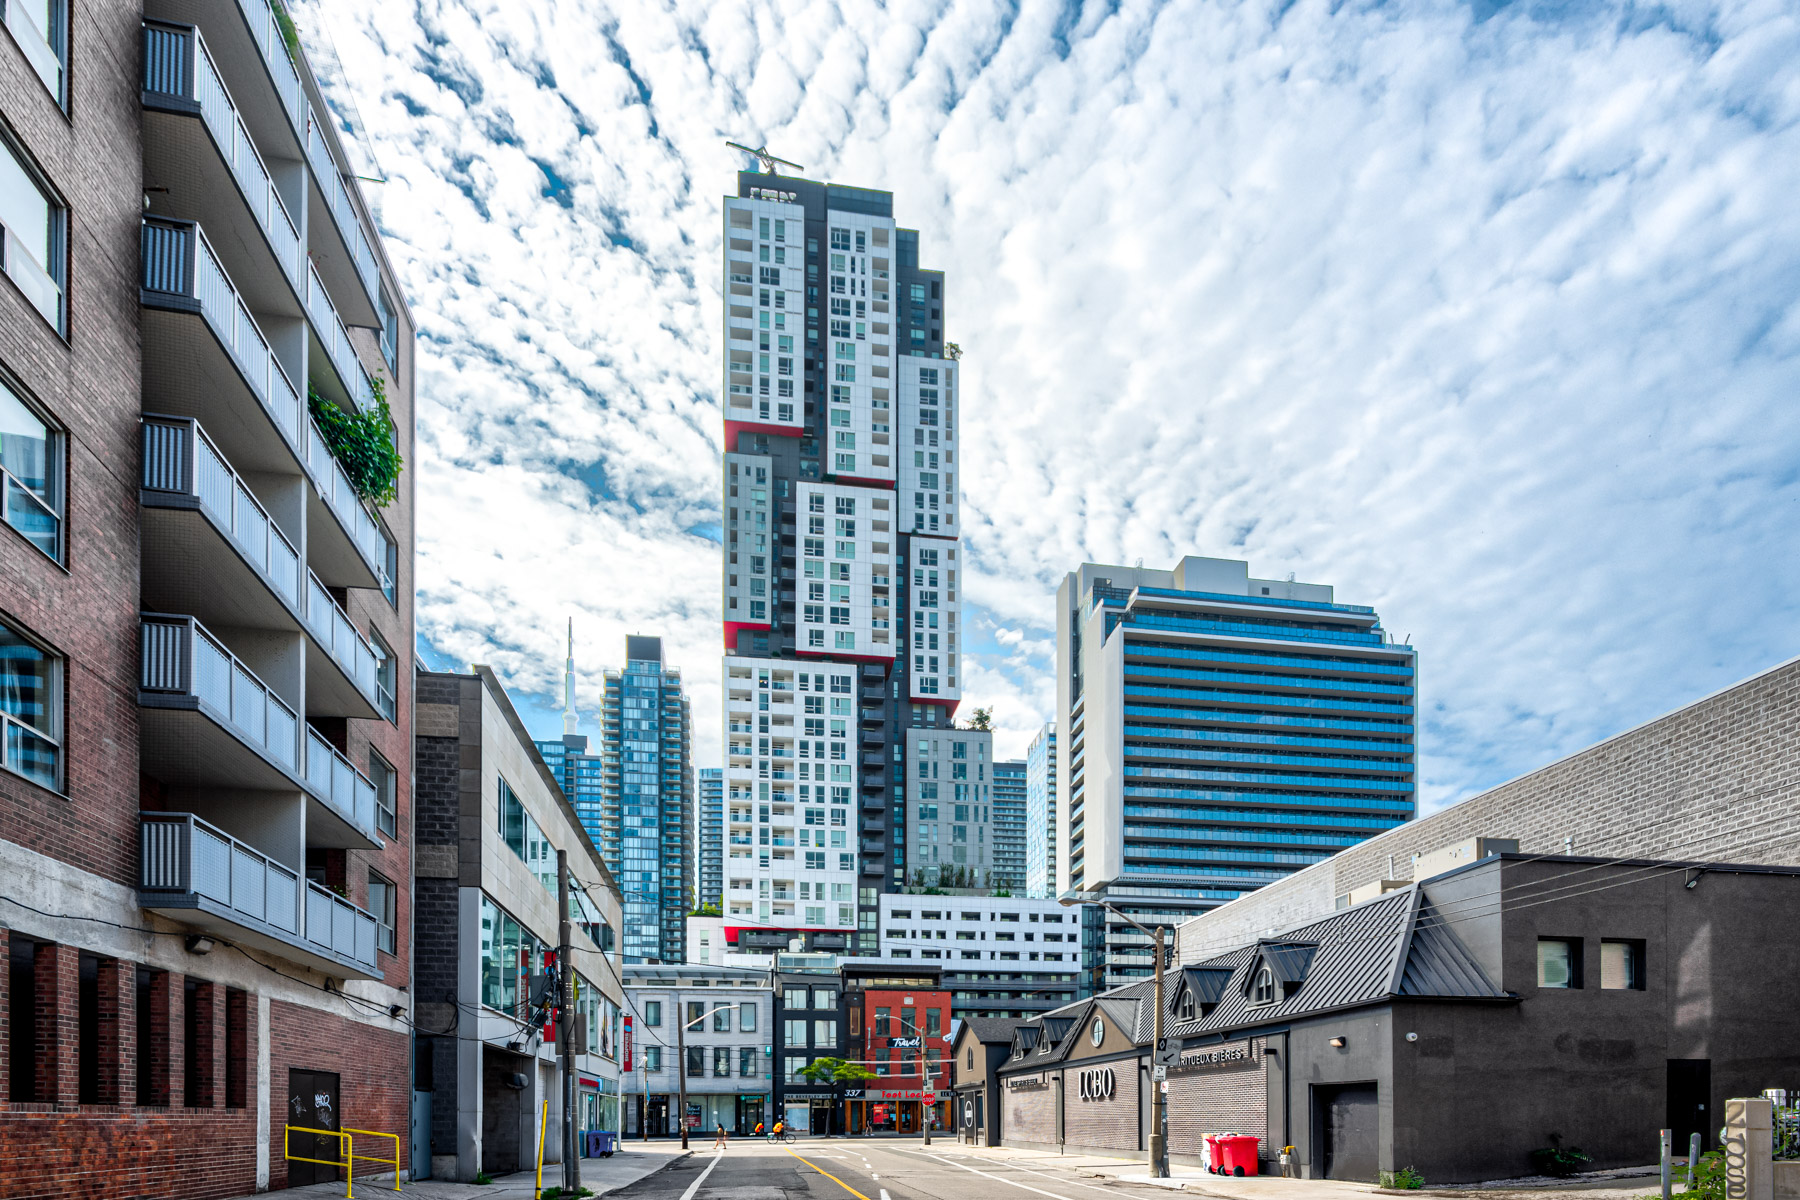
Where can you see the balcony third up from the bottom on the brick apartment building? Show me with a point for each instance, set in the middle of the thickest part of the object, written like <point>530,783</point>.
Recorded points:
<point>213,551</point>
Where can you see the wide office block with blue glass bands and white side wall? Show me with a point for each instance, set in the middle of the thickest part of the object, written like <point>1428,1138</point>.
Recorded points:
<point>1218,733</point>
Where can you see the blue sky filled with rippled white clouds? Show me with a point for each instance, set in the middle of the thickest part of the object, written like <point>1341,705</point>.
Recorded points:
<point>1484,314</point>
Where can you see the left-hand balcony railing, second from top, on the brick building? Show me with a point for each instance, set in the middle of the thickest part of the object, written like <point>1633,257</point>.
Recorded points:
<point>181,264</point>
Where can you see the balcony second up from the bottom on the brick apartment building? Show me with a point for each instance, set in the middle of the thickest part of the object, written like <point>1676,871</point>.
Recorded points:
<point>208,721</point>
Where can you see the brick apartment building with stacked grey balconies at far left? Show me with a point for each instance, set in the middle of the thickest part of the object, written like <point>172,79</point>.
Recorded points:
<point>204,632</point>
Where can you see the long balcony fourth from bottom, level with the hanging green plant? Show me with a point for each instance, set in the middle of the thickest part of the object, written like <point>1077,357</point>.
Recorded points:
<point>208,359</point>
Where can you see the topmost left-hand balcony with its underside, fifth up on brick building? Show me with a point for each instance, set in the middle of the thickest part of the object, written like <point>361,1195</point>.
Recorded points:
<point>199,148</point>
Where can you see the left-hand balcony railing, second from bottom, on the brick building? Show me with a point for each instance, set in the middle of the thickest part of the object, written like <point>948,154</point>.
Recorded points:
<point>183,658</point>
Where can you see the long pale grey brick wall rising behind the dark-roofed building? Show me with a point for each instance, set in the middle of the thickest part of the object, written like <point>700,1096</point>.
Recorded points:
<point>1709,782</point>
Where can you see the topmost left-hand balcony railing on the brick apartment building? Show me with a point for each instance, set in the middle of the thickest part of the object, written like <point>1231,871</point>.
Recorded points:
<point>177,64</point>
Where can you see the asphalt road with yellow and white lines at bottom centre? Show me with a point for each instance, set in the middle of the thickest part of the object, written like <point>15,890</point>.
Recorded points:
<point>865,1170</point>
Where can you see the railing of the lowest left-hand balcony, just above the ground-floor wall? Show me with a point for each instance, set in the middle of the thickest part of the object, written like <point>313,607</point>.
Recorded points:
<point>183,854</point>
